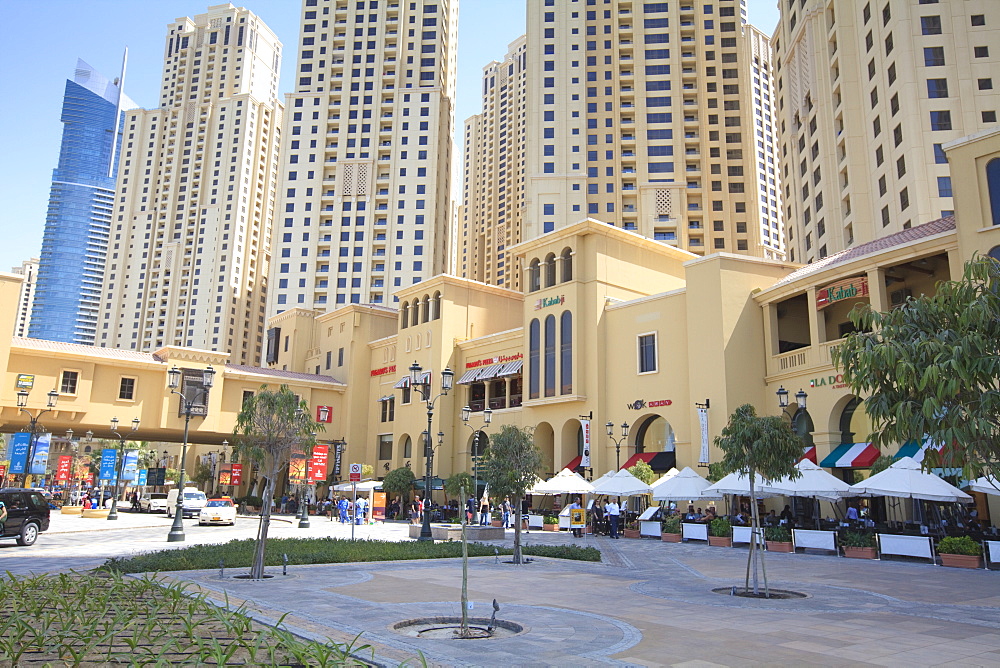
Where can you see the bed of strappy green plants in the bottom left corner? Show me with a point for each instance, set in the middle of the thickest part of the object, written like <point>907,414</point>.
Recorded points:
<point>107,620</point>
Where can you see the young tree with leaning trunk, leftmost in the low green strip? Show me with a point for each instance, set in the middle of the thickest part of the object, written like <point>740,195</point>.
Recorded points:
<point>267,428</point>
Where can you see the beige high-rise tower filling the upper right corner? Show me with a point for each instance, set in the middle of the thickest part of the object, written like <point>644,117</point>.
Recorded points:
<point>868,93</point>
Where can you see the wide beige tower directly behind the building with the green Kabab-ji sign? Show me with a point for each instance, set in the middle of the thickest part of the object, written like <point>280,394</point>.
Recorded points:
<point>653,117</point>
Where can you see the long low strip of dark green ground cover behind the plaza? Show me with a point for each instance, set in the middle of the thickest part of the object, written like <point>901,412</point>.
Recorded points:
<point>300,551</point>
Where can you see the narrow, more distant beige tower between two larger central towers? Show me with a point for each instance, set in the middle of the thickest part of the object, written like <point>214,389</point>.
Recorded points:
<point>490,218</point>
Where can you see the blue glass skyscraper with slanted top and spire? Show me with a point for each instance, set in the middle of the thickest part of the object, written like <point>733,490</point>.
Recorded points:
<point>75,243</point>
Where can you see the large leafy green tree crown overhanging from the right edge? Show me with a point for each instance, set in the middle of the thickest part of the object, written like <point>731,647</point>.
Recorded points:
<point>931,368</point>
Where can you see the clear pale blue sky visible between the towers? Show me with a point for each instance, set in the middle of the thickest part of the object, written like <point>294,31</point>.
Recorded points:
<point>98,30</point>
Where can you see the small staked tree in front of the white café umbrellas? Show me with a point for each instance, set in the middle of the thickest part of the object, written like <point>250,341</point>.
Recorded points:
<point>763,445</point>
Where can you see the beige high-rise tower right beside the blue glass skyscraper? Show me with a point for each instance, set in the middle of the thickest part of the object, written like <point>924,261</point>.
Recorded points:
<point>188,254</point>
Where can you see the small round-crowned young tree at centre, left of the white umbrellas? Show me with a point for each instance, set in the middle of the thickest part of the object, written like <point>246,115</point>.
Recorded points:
<point>509,468</point>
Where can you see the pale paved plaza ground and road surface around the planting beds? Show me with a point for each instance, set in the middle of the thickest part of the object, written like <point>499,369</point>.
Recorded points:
<point>647,603</point>
